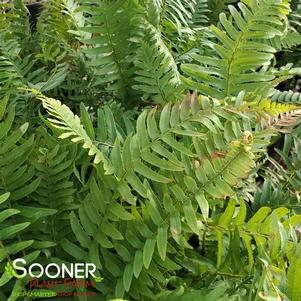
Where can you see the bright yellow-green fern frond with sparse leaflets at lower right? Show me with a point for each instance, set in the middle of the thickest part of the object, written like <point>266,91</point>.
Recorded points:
<point>266,227</point>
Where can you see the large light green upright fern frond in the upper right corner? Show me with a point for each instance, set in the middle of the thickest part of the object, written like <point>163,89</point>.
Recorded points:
<point>232,71</point>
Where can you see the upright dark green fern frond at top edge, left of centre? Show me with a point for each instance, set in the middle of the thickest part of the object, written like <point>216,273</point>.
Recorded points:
<point>112,26</point>
